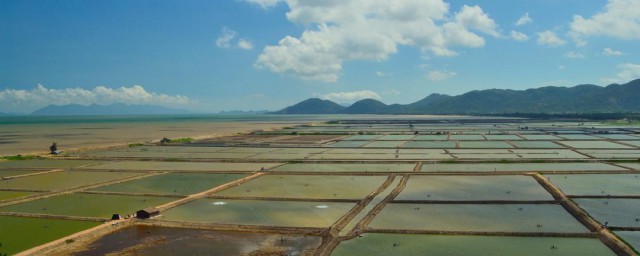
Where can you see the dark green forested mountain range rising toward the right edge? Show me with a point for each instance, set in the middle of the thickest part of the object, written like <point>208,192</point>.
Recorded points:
<point>614,98</point>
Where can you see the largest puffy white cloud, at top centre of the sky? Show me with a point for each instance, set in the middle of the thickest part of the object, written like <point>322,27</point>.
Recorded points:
<point>370,30</point>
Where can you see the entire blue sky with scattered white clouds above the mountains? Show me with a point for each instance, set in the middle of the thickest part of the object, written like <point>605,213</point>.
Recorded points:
<point>208,56</point>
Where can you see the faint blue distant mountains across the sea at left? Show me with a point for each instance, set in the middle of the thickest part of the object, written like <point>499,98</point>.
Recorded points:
<point>113,109</point>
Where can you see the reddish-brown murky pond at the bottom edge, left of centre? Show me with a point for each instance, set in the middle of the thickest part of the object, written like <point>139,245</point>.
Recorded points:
<point>152,240</point>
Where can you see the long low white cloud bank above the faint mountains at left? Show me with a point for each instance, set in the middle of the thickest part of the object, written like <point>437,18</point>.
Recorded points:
<point>30,100</point>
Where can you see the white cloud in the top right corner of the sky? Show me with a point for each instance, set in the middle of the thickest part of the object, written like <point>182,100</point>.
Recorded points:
<point>620,19</point>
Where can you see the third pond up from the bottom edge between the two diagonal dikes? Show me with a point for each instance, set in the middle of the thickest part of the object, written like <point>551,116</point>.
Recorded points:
<point>472,188</point>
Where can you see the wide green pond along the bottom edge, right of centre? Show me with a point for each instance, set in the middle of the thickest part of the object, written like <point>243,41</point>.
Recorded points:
<point>371,244</point>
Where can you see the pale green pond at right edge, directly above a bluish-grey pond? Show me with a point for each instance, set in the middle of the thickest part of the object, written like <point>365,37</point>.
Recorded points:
<point>598,184</point>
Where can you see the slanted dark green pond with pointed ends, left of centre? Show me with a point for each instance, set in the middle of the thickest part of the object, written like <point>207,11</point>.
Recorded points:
<point>173,183</point>
